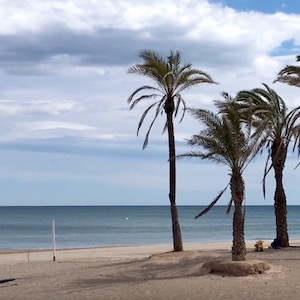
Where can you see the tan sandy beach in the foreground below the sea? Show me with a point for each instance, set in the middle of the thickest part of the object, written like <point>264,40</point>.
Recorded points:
<point>146,272</point>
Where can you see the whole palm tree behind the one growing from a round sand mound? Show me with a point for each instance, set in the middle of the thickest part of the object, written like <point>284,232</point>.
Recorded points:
<point>271,120</point>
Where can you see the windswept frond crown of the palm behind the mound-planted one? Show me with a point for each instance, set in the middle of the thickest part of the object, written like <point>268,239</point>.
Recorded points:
<point>270,117</point>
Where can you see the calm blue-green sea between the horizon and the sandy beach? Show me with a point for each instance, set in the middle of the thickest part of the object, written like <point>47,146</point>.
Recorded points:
<point>33,227</point>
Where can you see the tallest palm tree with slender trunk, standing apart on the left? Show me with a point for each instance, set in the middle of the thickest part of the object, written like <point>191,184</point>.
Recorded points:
<point>170,78</point>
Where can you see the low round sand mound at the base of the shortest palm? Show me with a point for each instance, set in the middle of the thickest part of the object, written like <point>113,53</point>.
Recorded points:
<point>237,268</point>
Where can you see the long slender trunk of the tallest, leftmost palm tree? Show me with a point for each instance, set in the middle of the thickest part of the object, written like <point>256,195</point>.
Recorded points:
<point>177,239</point>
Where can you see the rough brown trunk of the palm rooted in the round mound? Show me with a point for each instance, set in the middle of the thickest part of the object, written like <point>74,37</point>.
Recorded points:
<point>237,193</point>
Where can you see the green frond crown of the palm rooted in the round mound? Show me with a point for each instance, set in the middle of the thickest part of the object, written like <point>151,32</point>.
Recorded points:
<point>225,139</point>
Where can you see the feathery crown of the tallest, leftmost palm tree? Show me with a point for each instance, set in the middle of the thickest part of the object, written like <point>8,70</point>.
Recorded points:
<point>171,78</point>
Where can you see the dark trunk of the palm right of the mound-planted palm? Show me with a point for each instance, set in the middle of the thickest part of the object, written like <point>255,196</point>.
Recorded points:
<point>280,203</point>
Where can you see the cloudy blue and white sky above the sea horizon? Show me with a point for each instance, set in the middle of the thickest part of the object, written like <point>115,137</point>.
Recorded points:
<point>67,136</point>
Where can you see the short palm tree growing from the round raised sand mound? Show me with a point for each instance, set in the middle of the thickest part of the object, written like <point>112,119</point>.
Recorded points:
<point>226,140</point>
